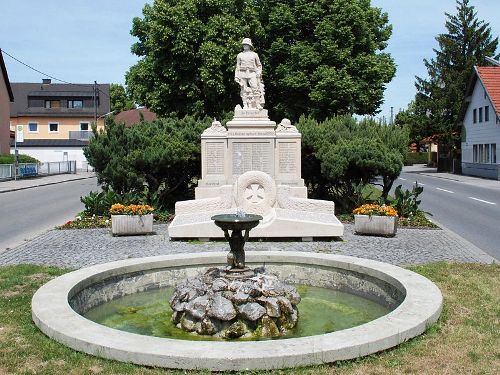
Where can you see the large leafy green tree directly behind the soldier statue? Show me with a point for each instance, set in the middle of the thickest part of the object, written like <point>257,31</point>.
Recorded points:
<point>320,58</point>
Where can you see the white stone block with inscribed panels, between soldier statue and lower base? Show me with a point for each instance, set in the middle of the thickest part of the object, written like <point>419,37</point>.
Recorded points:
<point>251,142</point>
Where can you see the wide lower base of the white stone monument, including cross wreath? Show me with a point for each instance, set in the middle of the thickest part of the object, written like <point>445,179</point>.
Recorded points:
<point>284,214</point>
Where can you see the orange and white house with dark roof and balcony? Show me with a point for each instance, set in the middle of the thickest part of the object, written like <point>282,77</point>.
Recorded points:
<point>57,118</point>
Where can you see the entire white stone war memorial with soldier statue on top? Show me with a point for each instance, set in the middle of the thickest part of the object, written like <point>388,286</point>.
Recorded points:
<point>254,166</point>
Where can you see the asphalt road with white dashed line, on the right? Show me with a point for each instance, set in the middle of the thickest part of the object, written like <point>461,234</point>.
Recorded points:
<point>471,211</point>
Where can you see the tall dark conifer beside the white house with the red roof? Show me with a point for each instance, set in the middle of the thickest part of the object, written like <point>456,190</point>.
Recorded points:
<point>466,42</point>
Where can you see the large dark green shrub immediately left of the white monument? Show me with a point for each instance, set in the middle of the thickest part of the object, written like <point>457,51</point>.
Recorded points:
<point>159,160</point>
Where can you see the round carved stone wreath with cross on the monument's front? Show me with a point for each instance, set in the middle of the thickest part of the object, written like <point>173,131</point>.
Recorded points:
<point>255,192</point>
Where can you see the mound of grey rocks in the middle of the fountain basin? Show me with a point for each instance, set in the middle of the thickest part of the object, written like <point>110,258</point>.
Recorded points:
<point>217,304</point>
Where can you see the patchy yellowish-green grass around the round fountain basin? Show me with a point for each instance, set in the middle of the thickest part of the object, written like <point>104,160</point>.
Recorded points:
<point>465,340</point>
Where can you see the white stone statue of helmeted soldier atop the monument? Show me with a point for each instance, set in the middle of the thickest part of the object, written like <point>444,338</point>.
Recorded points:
<point>248,75</point>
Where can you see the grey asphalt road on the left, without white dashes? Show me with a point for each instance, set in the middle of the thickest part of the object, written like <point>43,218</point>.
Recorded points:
<point>27,213</point>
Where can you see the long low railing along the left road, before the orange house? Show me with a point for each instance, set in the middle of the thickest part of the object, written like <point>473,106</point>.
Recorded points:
<point>8,171</point>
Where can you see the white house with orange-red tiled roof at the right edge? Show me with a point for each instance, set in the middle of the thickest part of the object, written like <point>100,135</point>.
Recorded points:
<point>481,124</point>
